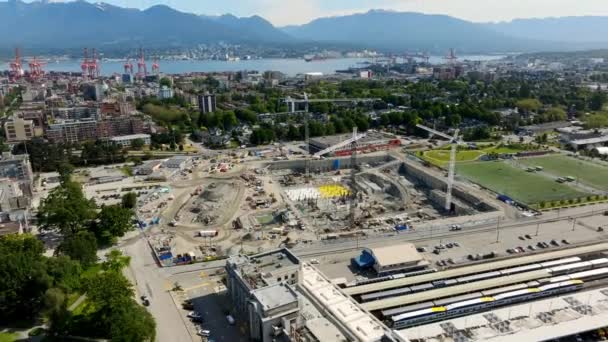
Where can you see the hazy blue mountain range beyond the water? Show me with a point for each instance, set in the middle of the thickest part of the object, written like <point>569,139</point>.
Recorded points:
<point>76,24</point>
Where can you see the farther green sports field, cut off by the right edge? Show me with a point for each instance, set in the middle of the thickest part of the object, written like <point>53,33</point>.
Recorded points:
<point>559,165</point>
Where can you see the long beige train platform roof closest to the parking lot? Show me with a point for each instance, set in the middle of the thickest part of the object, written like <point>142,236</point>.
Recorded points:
<point>485,267</point>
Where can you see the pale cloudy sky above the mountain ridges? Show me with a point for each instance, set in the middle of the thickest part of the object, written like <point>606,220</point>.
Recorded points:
<point>288,12</point>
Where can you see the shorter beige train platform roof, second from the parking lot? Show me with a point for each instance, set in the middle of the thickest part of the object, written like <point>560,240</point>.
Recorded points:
<point>454,290</point>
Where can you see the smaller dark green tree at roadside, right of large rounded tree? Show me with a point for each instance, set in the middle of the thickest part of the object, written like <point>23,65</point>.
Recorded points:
<point>112,222</point>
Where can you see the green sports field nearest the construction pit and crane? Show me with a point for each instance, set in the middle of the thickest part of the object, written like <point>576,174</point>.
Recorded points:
<point>518,184</point>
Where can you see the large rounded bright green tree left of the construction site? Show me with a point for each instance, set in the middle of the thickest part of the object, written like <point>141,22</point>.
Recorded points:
<point>66,209</point>
